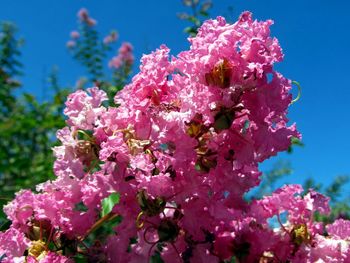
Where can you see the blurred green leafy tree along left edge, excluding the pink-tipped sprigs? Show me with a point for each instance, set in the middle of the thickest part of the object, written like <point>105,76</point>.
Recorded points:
<point>27,127</point>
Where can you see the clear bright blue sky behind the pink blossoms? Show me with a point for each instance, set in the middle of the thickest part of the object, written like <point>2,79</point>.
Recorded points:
<point>314,35</point>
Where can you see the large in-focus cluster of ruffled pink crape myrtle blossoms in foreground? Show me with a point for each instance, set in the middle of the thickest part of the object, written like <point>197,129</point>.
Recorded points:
<point>181,150</point>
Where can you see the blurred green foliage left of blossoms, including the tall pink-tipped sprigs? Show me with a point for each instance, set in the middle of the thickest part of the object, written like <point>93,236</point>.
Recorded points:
<point>27,126</point>
